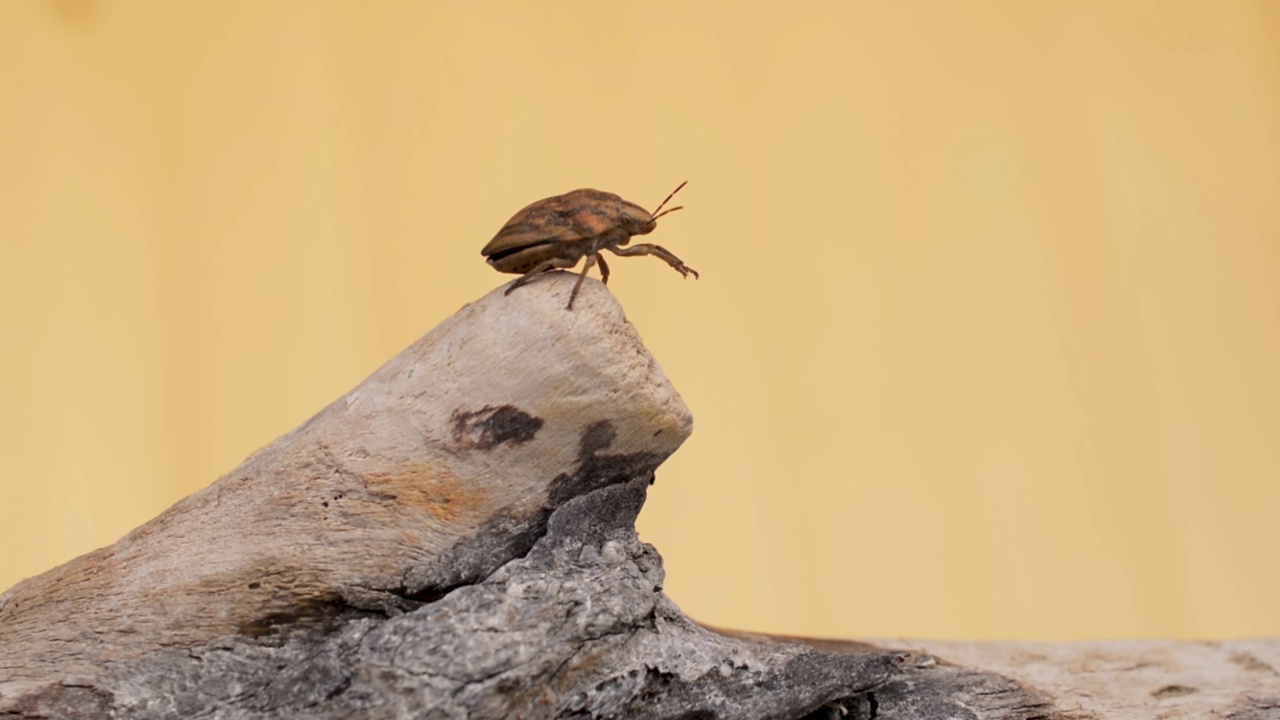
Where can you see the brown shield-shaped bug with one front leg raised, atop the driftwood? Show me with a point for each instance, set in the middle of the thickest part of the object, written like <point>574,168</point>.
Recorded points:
<point>559,231</point>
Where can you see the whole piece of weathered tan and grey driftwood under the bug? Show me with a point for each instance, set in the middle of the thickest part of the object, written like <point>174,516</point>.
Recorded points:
<point>455,539</point>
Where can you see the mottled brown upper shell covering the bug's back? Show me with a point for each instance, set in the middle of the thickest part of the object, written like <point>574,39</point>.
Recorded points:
<point>565,218</point>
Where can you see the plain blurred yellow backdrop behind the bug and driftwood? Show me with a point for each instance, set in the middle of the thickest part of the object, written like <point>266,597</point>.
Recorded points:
<point>988,341</point>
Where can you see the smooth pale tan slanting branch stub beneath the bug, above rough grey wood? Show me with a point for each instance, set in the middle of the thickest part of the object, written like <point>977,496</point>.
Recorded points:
<point>396,490</point>
